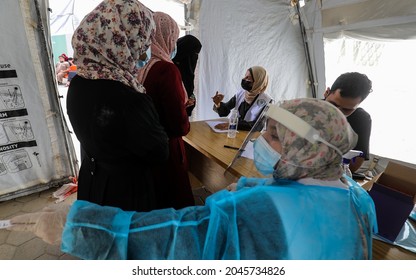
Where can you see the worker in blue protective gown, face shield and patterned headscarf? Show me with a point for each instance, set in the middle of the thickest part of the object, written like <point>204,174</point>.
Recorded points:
<point>308,210</point>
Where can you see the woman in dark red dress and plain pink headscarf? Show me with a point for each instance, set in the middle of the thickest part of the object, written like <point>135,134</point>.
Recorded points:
<point>163,83</point>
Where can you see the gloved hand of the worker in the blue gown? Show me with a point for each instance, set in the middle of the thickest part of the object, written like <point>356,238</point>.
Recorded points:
<point>47,224</point>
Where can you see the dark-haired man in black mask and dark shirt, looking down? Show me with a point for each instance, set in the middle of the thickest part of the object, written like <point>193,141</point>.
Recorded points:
<point>347,93</point>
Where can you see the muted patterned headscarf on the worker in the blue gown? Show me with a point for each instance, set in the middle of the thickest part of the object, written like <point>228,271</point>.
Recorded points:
<point>302,159</point>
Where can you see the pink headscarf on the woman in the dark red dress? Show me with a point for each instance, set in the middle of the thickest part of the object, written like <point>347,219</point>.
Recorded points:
<point>163,42</point>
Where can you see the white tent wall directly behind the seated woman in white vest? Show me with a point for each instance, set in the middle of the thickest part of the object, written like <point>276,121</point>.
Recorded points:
<point>238,34</point>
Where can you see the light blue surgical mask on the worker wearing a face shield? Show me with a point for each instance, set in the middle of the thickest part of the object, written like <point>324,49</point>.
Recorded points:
<point>265,157</point>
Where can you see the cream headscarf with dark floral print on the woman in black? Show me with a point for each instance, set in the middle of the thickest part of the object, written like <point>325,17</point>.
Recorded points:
<point>108,42</point>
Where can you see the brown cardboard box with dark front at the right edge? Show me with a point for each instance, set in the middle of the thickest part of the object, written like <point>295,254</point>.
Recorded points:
<point>394,195</point>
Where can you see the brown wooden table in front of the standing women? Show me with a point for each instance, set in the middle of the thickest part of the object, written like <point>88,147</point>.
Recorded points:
<point>208,160</point>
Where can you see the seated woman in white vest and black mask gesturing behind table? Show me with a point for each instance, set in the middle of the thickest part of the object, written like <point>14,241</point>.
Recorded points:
<point>250,100</point>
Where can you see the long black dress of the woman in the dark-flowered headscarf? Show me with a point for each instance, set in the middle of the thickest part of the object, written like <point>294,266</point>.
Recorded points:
<point>119,131</point>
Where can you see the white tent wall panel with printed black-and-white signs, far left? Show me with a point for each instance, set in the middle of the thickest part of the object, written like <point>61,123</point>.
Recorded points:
<point>35,149</point>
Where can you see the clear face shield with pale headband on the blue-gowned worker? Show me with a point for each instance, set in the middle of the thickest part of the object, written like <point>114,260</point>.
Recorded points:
<point>290,121</point>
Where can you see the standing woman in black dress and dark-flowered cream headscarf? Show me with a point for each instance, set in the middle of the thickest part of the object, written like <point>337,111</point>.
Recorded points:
<point>115,122</point>
